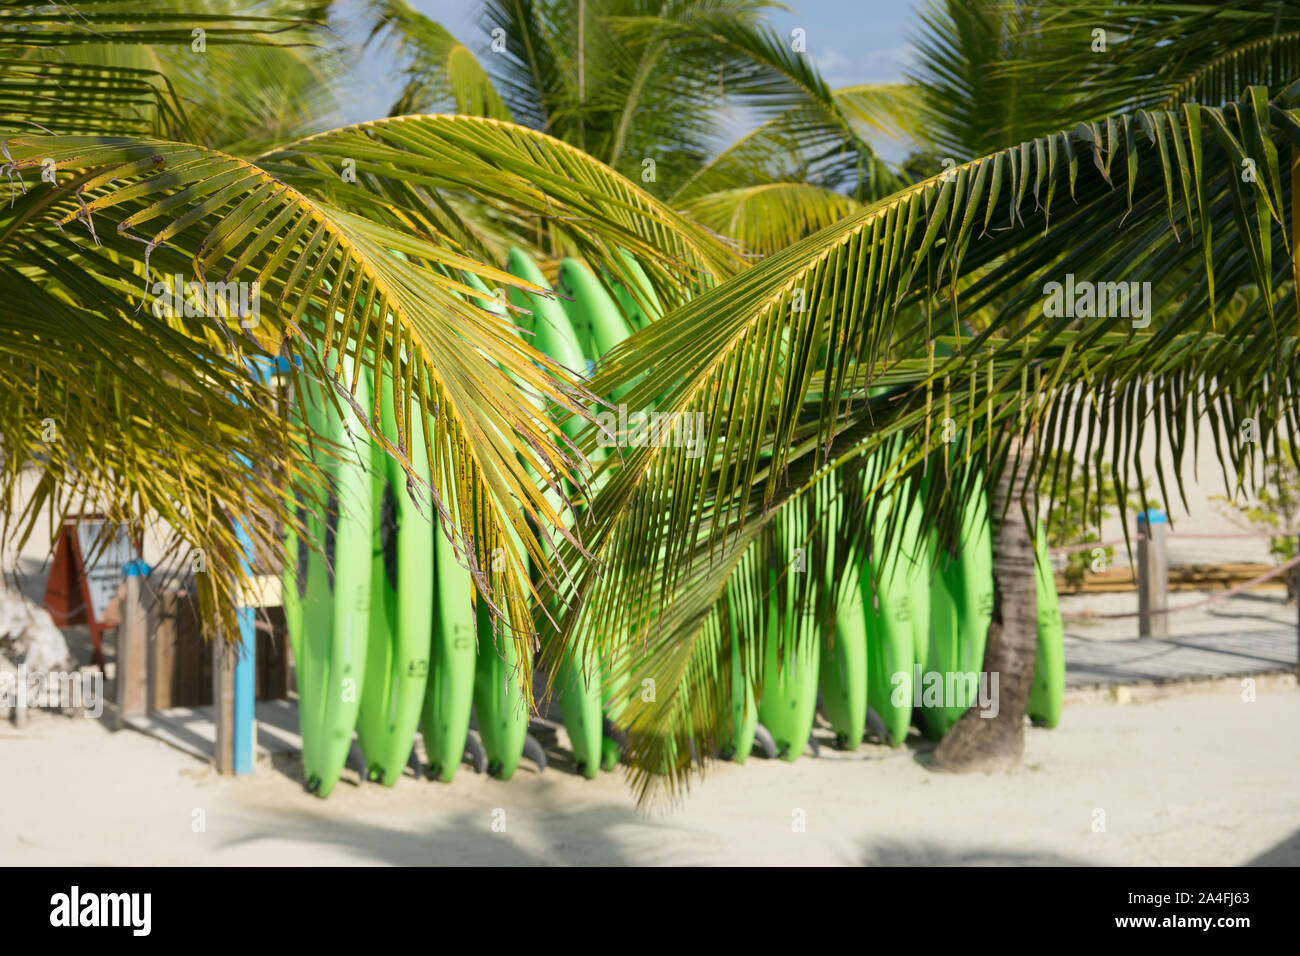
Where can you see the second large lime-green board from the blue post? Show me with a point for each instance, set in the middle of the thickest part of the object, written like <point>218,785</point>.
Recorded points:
<point>397,663</point>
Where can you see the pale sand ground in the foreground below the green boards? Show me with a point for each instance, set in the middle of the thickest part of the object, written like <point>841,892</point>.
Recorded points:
<point>1195,780</point>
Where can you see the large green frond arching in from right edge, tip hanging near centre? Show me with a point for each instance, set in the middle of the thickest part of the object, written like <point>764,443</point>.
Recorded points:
<point>781,357</point>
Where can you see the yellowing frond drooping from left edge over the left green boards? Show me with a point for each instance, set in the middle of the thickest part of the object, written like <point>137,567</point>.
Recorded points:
<point>332,284</point>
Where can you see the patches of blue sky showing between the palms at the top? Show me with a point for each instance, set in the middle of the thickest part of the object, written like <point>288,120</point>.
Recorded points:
<point>852,41</point>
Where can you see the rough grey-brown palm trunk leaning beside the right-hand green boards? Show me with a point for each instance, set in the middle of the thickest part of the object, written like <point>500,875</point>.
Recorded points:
<point>980,743</point>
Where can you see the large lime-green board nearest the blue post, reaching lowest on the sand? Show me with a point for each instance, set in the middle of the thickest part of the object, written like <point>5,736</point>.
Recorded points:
<point>336,594</point>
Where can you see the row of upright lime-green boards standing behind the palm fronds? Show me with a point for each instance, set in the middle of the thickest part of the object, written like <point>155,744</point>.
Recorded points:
<point>388,638</point>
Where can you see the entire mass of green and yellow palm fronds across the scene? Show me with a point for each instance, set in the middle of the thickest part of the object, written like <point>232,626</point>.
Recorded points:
<point>821,365</point>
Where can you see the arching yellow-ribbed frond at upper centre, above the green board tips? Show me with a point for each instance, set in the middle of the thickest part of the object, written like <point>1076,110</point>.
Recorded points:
<point>410,166</point>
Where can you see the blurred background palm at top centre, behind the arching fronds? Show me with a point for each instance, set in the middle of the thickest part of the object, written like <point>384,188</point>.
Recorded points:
<point>647,86</point>
